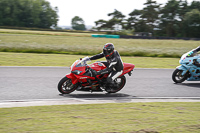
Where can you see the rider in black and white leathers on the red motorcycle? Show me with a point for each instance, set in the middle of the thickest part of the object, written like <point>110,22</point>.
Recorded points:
<point>114,64</point>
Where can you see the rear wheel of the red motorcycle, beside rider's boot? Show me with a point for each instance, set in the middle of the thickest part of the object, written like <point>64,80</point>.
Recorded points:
<point>120,81</point>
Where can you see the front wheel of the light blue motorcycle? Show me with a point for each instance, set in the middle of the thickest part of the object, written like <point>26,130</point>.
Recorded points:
<point>177,76</point>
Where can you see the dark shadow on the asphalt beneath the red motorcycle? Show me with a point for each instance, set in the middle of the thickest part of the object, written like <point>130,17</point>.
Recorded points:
<point>103,96</point>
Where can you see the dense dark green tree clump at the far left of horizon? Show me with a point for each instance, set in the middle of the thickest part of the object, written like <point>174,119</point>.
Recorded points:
<point>27,13</point>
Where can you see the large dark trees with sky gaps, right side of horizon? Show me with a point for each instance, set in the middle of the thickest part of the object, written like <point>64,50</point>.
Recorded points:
<point>176,18</point>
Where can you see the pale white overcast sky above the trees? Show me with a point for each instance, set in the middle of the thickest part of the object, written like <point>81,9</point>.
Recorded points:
<point>93,10</point>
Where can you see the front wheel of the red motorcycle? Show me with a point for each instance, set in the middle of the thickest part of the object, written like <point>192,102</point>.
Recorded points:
<point>65,86</point>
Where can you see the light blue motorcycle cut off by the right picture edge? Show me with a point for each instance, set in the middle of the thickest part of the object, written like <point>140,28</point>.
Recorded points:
<point>189,69</point>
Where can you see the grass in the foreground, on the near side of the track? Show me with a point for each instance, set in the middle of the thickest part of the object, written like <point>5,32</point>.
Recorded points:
<point>103,118</point>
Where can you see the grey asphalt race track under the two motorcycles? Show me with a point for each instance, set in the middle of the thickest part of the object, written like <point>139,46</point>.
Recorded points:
<point>39,84</point>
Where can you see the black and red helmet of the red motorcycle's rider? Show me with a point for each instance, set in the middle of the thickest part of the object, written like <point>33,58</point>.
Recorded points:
<point>108,50</point>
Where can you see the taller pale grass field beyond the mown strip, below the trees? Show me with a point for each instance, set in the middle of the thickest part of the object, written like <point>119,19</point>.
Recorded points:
<point>83,43</point>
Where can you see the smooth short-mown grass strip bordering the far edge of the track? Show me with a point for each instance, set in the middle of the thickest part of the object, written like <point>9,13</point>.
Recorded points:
<point>31,59</point>
